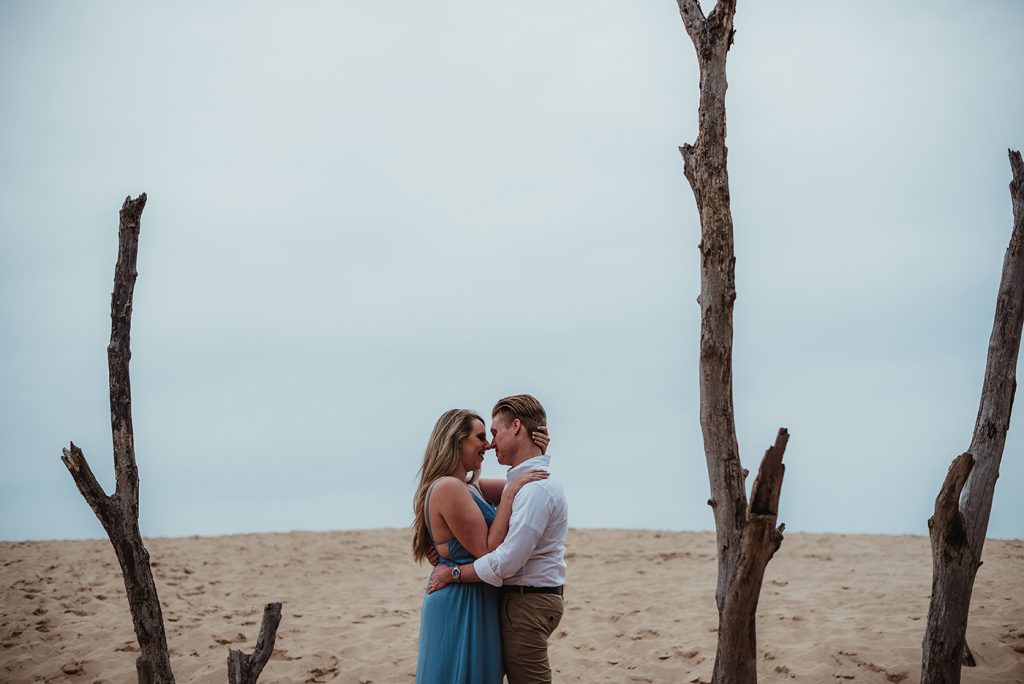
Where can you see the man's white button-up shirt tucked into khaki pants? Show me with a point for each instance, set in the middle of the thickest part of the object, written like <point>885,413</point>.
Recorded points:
<point>534,551</point>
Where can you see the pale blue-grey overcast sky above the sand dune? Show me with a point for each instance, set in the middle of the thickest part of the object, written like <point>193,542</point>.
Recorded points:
<point>363,215</point>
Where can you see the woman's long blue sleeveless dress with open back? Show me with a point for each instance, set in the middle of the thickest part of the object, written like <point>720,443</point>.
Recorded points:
<point>460,629</point>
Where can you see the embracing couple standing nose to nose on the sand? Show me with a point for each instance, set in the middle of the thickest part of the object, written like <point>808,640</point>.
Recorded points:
<point>496,593</point>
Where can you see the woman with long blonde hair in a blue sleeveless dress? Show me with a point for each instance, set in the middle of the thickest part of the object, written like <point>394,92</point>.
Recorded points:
<point>457,521</point>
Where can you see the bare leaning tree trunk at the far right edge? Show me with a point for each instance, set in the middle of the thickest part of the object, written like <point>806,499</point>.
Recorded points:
<point>958,530</point>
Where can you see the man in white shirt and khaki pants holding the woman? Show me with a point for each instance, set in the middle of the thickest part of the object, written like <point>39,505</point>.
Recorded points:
<point>530,565</point>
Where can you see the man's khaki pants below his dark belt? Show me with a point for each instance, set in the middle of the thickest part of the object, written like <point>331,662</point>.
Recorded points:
<point>528,621</point>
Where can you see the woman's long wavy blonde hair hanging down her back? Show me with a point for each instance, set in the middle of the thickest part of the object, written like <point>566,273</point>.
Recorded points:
<point>441,459</point>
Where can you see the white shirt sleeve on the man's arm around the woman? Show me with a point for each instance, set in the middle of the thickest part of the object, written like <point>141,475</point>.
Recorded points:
<point>530,518</point>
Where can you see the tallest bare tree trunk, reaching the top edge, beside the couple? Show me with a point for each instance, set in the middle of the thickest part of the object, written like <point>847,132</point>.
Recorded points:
<point>747,536</point>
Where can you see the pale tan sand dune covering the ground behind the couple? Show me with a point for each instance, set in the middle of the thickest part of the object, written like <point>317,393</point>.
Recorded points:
<point>639,609</point>
